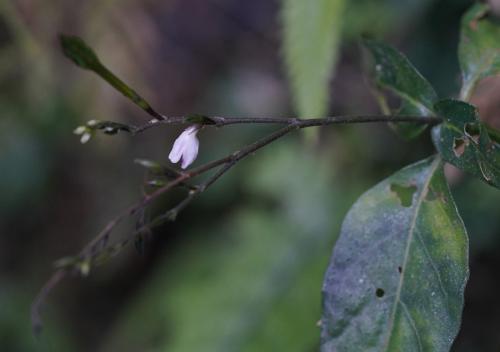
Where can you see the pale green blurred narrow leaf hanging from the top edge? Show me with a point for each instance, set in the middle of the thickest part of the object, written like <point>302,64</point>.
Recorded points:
<point>311,32</point>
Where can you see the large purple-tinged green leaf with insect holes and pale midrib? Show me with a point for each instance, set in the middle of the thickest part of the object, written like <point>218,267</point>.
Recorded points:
<point>397,275</point>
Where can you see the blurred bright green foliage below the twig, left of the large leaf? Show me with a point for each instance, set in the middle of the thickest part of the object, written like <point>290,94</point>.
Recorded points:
<point>244,285</point>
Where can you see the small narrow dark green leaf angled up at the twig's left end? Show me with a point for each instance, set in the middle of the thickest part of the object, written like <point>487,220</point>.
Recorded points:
<point>81,54</point>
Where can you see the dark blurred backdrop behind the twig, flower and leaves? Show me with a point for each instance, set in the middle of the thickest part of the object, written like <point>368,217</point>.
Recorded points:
<point>241,268</point>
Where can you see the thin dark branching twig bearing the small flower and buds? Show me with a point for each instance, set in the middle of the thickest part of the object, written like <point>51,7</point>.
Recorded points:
<point>95,248</point>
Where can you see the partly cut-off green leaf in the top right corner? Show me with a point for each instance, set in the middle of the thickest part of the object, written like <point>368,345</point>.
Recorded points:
<point>479,48</point>
